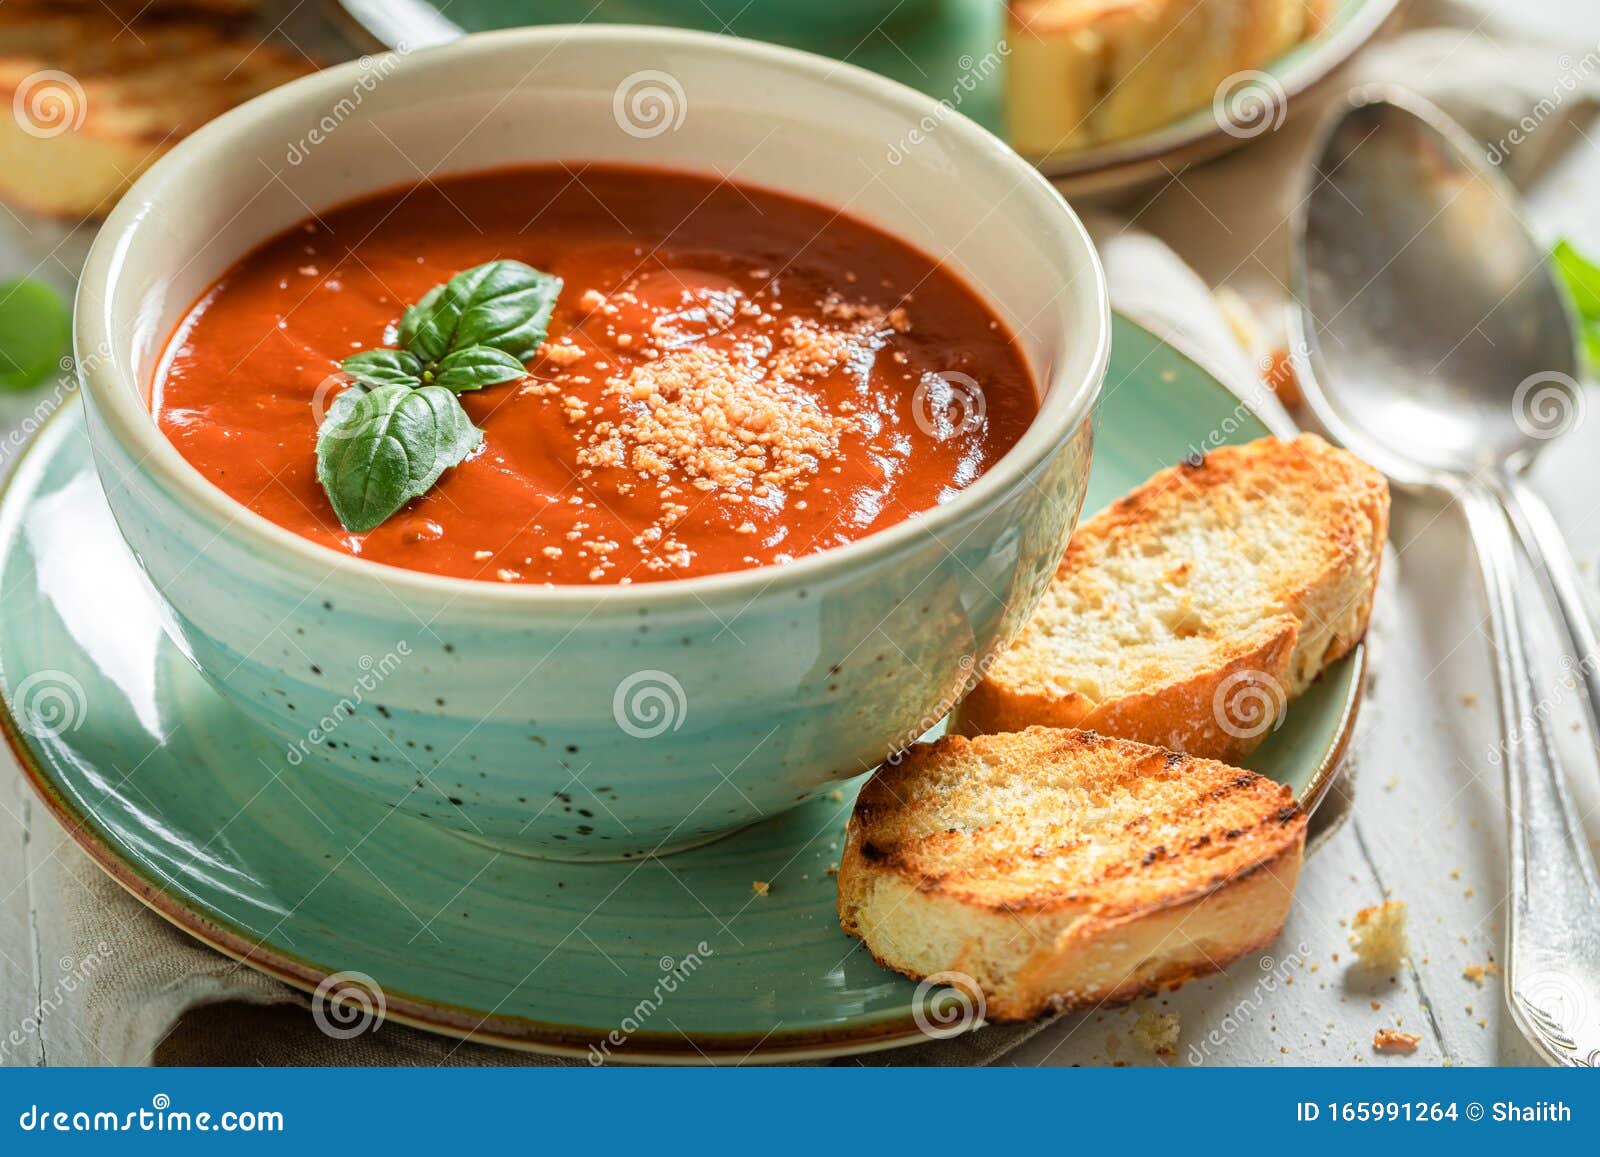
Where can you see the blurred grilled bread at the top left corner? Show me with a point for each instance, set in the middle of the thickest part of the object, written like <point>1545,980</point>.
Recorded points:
<point>97,103</point>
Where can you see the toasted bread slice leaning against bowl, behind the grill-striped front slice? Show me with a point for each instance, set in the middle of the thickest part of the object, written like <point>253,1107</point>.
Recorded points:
<point>1193,611</point>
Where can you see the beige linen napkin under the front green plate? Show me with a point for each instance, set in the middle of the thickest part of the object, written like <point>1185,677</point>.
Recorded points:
<point>156,996</point>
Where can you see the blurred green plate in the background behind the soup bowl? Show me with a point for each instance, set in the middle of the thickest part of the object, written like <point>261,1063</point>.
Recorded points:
<point>946,49</point>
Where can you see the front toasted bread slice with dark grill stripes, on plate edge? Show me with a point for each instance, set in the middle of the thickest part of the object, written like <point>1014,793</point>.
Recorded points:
<point>1062,870</point>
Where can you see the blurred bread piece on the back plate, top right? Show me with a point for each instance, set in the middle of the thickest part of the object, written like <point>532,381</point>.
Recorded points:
<point>1086,73</point>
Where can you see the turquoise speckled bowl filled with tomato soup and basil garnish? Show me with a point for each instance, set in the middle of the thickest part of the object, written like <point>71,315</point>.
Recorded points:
<point>593,441</point>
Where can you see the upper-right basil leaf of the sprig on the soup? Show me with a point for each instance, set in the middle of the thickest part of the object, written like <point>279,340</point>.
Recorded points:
<point>503,305</point>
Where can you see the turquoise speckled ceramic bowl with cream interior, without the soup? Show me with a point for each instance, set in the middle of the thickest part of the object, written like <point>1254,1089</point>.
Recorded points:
<point>682,710</point>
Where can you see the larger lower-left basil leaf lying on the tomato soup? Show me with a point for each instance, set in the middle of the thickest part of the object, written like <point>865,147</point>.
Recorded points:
<point>383,449</point>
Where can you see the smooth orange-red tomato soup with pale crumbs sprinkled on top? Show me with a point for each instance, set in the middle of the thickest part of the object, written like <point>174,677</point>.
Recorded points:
<point>732,378</point>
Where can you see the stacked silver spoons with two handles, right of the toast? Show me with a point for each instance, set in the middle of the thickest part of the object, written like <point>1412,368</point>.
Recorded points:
<point>1434,342</point>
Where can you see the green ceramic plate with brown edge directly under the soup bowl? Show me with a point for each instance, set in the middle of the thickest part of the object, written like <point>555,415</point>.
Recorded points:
<point>174,793</point>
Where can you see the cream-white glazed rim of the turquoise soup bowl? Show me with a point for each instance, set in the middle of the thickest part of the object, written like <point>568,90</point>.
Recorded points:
<point>129,418</point>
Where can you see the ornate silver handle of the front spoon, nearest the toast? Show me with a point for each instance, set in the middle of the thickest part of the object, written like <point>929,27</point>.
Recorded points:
<point>1553,967</point>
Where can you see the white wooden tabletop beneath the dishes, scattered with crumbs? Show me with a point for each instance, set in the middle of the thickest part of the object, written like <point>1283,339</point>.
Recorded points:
<point>1428,823</point>
